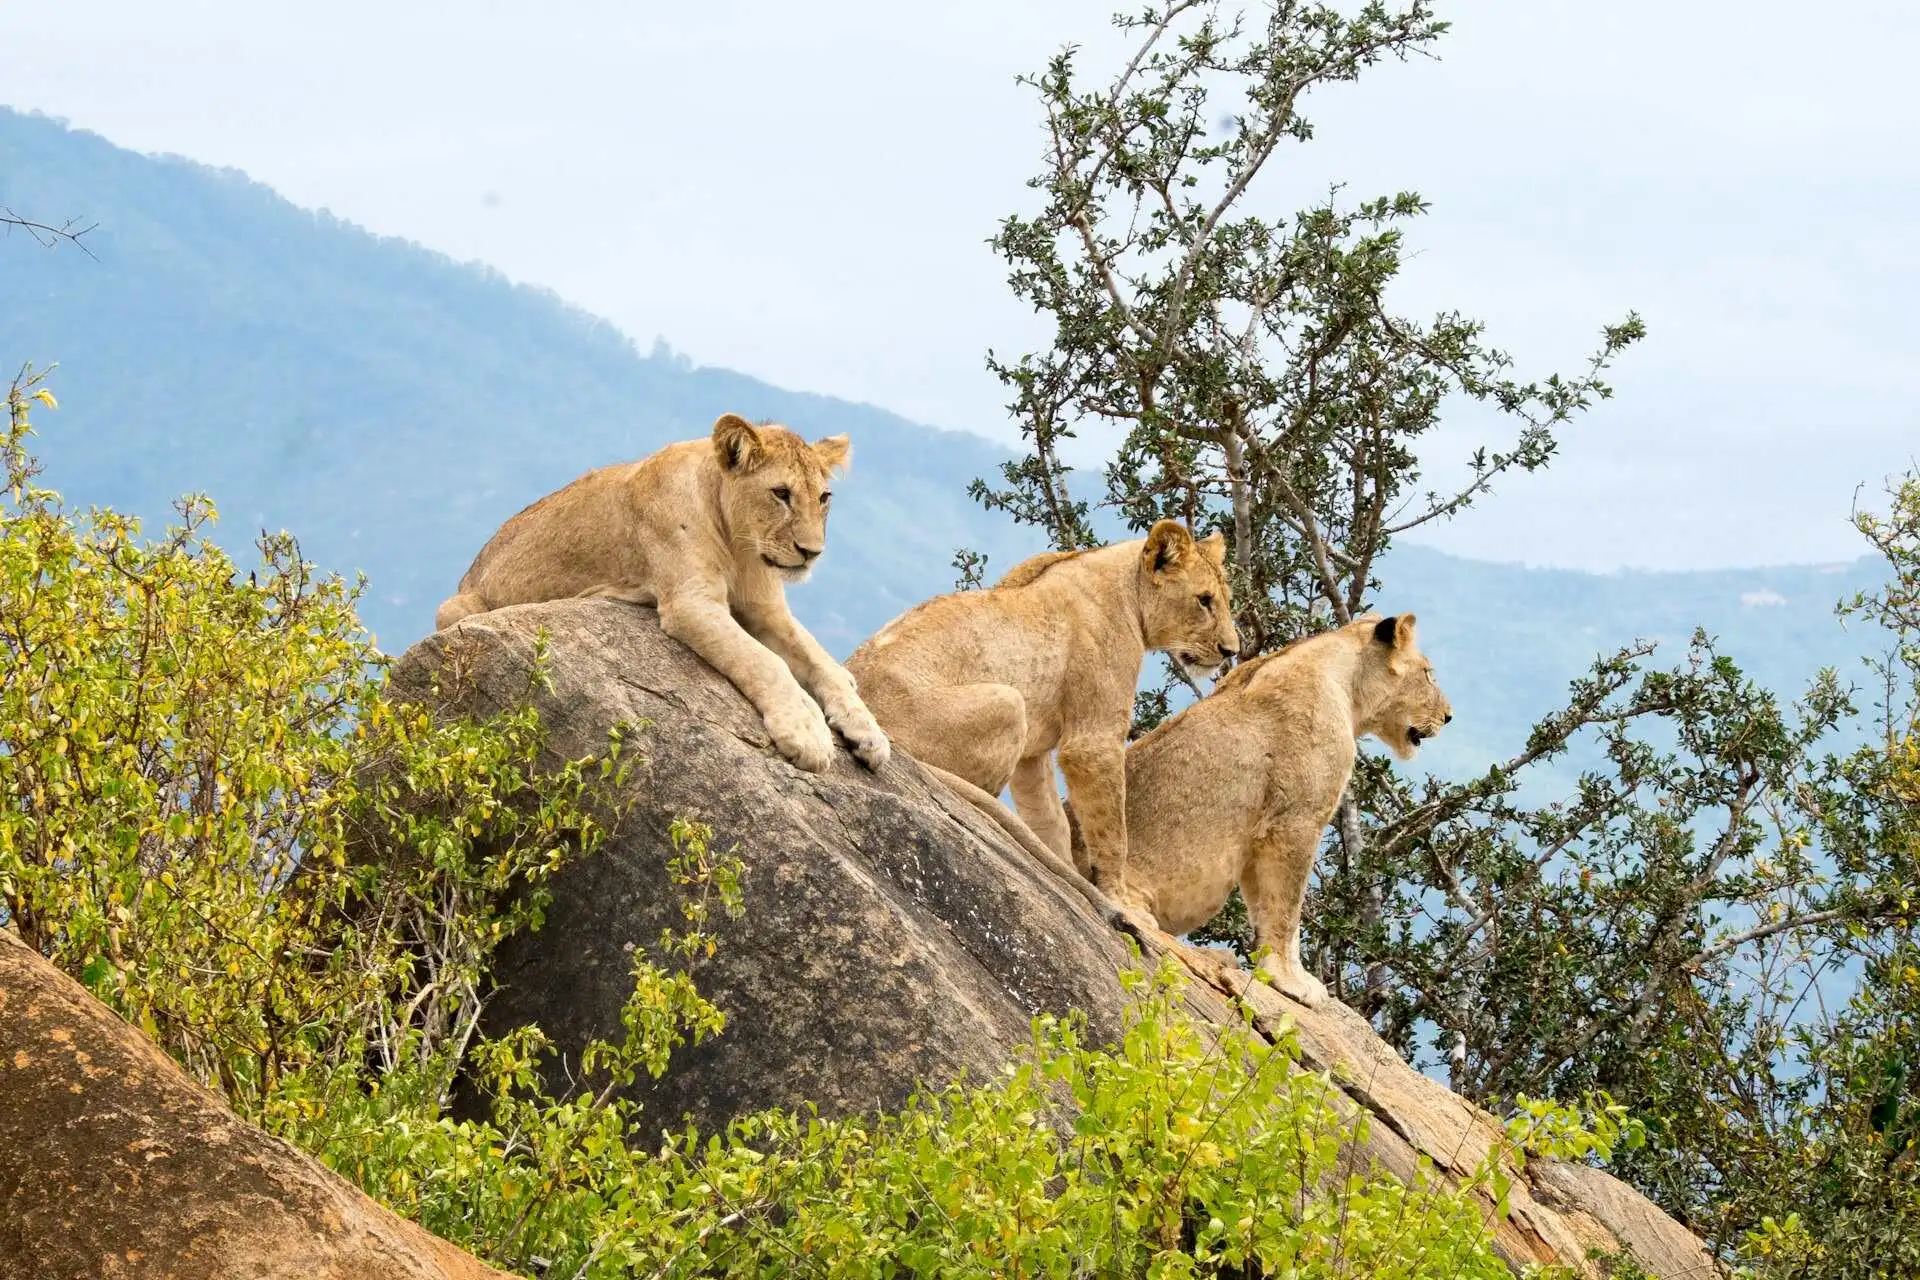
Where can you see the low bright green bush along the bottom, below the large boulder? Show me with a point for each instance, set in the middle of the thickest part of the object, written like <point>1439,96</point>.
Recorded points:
<point>1180,1152</point>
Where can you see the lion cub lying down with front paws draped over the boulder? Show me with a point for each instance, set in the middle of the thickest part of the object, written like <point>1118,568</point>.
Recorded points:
<point>708,531</point>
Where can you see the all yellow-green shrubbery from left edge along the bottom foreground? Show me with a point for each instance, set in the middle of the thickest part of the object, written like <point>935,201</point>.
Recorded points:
<point>214,815</point>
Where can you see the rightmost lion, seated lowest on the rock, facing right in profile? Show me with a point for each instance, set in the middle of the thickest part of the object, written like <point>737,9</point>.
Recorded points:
<point>1239,788</point>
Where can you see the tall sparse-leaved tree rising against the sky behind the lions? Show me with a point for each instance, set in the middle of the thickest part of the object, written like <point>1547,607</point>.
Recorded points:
<point>1253,367</point>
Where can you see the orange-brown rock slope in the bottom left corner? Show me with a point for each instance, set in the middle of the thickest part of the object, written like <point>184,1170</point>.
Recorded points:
<point>116,1166</point>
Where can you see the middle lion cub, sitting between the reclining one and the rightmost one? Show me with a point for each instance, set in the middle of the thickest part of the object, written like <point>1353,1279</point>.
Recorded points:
<point>992,684</point>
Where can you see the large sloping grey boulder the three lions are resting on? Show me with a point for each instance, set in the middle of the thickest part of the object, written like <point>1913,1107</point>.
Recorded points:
<point>892,934</point>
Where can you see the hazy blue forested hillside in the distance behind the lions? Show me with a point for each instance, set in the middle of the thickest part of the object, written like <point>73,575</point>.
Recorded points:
<point>393,408</point>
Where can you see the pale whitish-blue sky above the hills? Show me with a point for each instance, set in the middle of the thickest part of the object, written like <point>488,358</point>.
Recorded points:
<point>805,195</point>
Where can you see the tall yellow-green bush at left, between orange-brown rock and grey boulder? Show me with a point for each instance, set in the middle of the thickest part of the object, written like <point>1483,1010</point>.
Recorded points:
<point>204,784</point>
